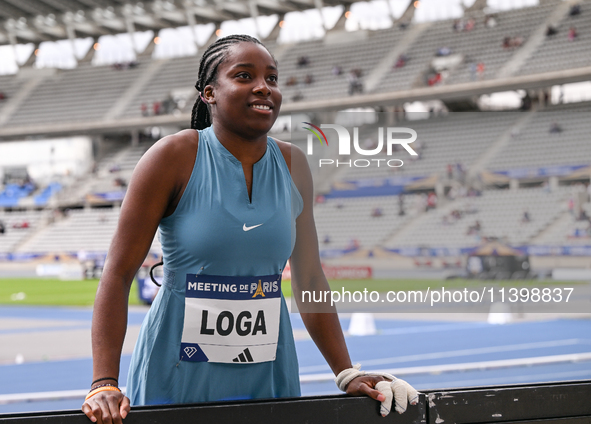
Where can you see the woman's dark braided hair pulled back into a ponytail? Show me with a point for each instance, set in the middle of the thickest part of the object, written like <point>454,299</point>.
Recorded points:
<point>215,54</point>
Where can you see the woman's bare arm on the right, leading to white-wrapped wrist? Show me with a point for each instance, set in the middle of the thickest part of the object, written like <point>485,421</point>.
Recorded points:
<point>321,320</point>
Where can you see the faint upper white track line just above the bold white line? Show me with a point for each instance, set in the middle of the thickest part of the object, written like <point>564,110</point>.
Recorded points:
<point>460,352</point>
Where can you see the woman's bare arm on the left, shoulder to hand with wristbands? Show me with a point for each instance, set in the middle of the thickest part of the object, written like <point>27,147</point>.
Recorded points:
<point>154,191</point>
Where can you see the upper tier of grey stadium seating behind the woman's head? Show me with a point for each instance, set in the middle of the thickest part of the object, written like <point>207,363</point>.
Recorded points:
<point>120,94</point>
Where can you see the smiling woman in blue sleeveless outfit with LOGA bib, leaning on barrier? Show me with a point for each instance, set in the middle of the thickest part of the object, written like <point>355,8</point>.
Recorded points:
<point>197,176</point>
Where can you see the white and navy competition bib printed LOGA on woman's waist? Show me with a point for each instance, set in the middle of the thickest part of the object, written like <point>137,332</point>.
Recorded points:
<point>231,319</point>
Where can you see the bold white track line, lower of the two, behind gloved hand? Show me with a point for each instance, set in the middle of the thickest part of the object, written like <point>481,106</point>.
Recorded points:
<point>432,369</point>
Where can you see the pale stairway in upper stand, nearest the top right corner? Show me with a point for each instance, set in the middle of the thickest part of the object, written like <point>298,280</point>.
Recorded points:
<point>532,44</point>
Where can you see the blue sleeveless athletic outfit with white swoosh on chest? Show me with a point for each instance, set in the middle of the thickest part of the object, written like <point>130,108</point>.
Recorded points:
<point>205,235</point>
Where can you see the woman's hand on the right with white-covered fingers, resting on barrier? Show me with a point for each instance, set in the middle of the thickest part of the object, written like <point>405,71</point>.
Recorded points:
<point>384,391</point>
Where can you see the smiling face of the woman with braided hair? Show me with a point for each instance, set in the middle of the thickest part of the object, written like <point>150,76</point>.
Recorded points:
<point>246,97</point>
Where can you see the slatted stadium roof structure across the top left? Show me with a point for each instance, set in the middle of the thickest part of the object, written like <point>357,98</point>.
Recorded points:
<point>26,21</point>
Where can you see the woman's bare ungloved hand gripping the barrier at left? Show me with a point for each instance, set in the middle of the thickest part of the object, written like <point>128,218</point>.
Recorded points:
<point>107,407</point>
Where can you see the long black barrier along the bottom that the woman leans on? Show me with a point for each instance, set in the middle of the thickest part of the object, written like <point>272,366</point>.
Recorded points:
<point>554,403</point>
